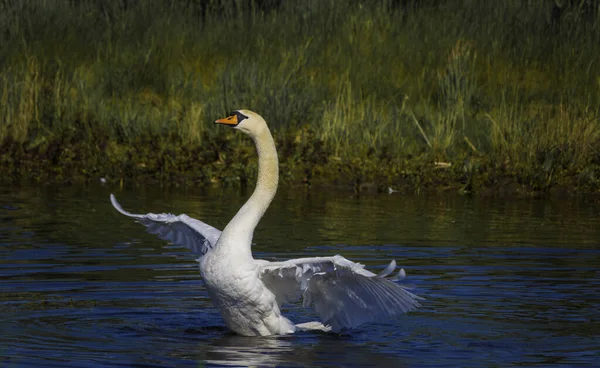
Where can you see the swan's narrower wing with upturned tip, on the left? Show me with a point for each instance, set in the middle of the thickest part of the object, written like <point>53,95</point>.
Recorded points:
<point>181,230</point>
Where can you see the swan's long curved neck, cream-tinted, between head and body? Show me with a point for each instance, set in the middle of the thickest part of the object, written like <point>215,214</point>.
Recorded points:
<point>238,232</point>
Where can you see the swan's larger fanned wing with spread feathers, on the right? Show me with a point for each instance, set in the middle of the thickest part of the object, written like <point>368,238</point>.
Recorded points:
<point>344,294</point>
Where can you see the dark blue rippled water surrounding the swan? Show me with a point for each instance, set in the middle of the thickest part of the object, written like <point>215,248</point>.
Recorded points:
<point>508,282</point>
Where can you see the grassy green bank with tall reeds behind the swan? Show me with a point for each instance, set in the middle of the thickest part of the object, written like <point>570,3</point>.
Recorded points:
<point>458,93</point>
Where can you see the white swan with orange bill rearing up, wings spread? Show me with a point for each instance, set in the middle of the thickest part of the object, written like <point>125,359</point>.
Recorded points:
<point>249,292</point>
